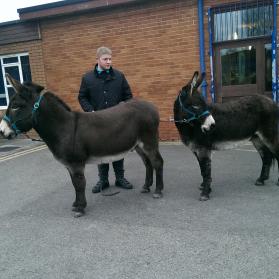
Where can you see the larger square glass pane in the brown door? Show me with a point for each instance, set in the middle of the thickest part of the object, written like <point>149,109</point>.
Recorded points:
<point>238,65</point>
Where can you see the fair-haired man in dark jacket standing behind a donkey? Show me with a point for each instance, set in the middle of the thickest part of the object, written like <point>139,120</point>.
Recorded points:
<point>101,88</point>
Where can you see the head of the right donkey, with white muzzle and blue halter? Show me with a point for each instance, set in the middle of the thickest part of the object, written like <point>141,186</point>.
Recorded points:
<point>193,107</point>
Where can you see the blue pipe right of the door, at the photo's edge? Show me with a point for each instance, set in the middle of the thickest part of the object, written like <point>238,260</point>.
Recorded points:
<point>274,54</point>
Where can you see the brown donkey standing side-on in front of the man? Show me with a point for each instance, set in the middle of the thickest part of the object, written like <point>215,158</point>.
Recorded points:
<point>76,138</point>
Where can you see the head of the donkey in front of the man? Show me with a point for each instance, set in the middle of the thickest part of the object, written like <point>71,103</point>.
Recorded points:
<point>18,117</point>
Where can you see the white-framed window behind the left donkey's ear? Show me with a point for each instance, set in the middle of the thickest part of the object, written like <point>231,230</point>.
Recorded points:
<point>18,67</point>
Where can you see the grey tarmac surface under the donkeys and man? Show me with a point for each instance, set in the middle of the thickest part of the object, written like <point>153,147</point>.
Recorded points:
<point>131,235</point>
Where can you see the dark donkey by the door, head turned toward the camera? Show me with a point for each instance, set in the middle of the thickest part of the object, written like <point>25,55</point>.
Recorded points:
<point>205,127</point>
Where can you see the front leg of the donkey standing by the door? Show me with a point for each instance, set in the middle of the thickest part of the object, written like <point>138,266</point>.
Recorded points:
<point>204,158</point>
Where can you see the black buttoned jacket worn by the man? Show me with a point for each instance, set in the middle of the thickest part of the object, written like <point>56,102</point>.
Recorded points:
<point>103,90</point>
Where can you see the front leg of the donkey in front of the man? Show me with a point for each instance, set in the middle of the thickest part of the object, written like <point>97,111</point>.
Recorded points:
<point>79,183</point>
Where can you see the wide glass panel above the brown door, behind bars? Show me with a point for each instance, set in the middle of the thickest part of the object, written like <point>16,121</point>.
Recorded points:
<point>242,22</point>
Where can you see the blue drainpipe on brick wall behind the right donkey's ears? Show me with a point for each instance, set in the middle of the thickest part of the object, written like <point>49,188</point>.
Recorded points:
<point>201,37</point>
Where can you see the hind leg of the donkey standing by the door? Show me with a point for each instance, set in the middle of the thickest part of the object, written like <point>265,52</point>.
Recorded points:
<point>266,156</point>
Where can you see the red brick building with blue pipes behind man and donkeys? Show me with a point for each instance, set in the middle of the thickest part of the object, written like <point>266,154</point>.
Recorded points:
<point>158,44</point>
